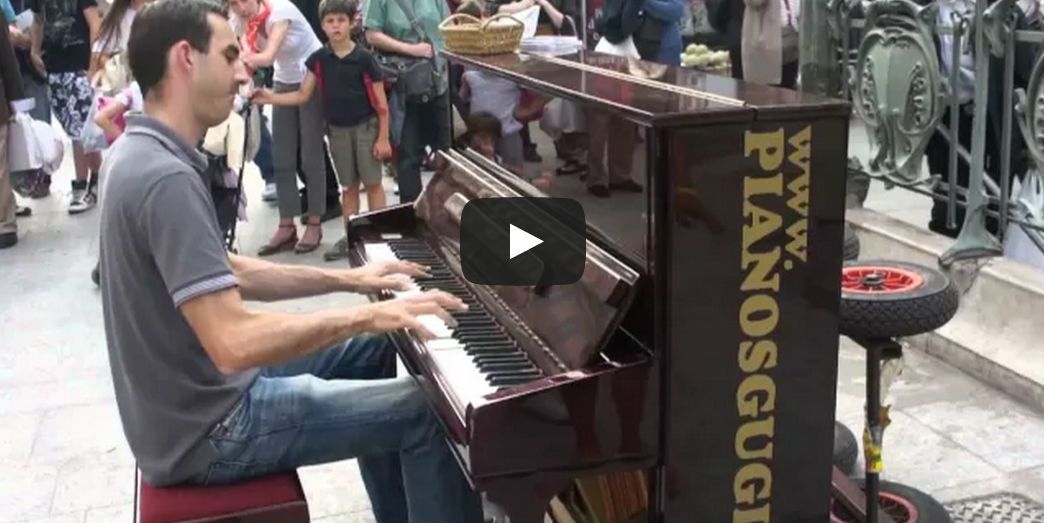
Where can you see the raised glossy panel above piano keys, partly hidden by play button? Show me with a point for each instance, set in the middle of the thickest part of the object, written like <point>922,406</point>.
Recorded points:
<point>574,321</point>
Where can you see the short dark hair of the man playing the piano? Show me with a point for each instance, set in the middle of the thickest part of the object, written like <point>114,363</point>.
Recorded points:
<point>162,25</point>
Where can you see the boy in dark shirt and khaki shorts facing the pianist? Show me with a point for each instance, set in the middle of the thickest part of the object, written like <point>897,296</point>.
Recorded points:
<point>357,110</point>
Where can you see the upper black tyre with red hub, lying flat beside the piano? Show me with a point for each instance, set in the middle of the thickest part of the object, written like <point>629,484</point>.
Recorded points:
<point>884,299</point>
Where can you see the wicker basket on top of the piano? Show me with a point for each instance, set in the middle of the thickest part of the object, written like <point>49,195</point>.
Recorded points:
<point>467,35</point>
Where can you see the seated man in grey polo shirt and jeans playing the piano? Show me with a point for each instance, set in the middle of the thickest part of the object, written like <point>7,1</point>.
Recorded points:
<point>210,392</point>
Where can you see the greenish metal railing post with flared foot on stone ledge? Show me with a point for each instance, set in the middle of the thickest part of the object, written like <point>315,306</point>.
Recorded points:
<point>975,241</point>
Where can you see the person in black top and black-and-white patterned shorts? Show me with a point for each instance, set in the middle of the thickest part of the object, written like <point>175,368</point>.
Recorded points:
<point>63,32</point>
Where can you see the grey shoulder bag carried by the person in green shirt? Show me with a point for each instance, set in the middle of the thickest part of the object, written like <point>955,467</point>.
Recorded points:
<point>417,79</point>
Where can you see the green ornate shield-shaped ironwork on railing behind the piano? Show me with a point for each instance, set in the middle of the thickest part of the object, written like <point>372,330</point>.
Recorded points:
<point>898,90</point>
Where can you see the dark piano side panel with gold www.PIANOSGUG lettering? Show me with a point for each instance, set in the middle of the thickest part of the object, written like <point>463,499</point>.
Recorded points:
<point>753,320</point>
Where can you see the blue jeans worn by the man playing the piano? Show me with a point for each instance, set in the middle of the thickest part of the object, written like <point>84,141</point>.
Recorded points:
<point>339,405</point>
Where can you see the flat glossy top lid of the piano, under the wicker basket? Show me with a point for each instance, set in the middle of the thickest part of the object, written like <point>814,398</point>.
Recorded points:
<point>648,93</point>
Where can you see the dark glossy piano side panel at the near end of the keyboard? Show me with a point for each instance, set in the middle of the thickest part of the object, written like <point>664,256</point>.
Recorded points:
<point>590,418</point>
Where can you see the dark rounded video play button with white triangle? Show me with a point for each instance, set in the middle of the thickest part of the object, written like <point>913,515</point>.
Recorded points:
<point>524,242</point>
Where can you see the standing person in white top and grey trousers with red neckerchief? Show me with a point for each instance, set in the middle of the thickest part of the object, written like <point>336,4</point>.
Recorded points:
<point>275,33</point>
